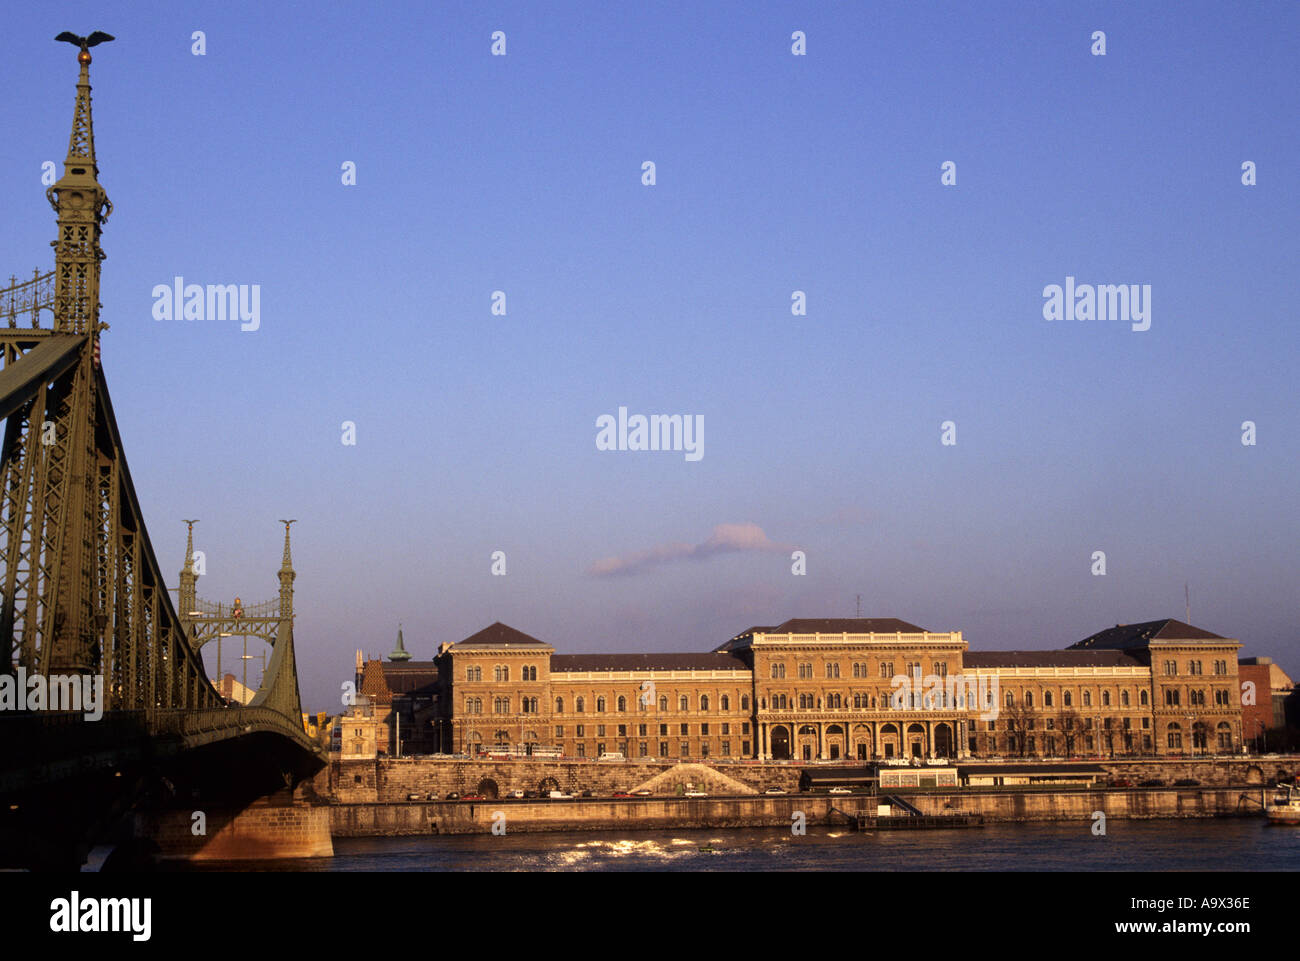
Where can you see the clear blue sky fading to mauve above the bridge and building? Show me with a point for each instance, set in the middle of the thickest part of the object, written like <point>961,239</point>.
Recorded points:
<point>774,174</point>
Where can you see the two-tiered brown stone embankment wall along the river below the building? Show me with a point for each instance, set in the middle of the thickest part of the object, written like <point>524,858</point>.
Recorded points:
<point>371,798</point>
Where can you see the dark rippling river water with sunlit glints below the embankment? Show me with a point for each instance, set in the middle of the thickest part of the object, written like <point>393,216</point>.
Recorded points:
<point>1247,845</point>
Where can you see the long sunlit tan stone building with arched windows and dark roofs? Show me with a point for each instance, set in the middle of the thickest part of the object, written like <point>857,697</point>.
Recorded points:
<point>856,689</point>
